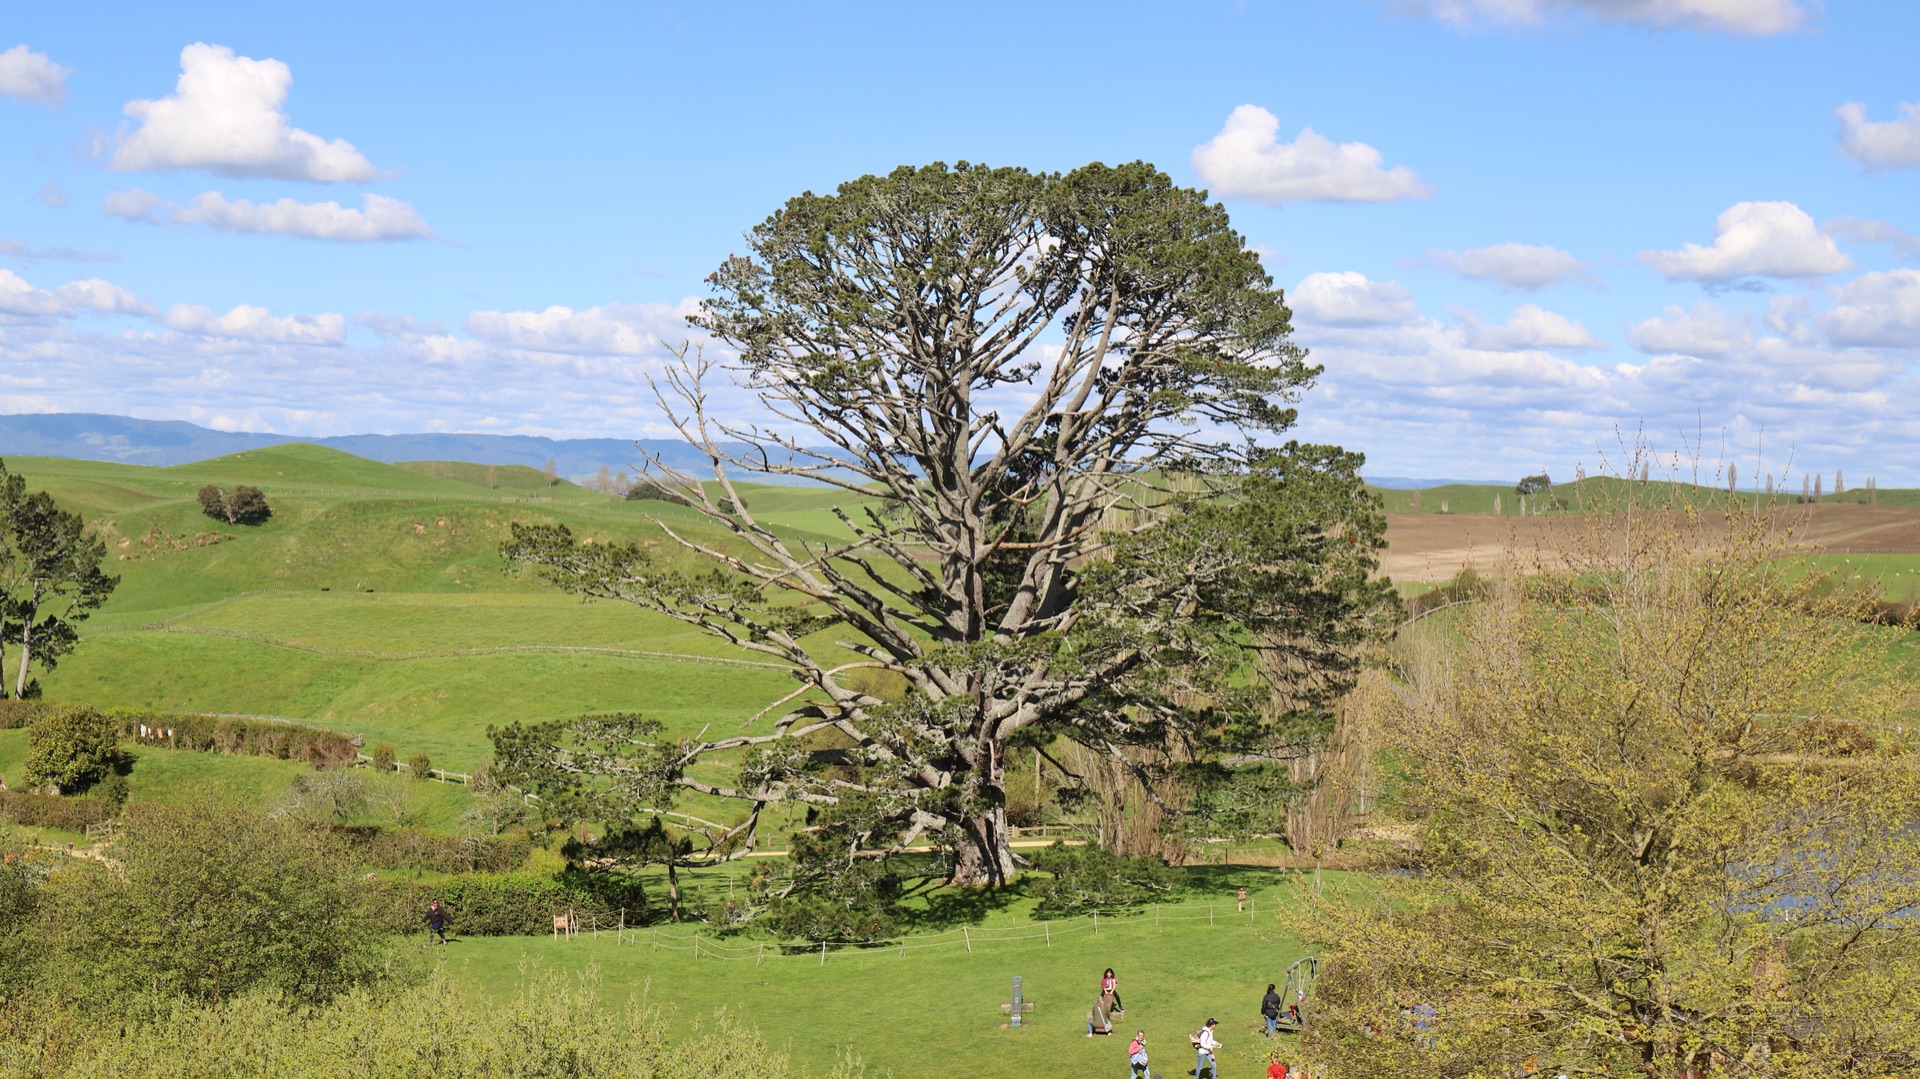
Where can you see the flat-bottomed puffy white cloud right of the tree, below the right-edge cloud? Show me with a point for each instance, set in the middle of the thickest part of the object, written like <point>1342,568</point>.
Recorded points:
<point>1756,239</point>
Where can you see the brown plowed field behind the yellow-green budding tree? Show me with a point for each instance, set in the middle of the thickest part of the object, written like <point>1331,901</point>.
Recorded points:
<point>1431,546</point>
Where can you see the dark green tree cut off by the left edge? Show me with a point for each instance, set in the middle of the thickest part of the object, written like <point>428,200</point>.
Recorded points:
<point>51,579</point>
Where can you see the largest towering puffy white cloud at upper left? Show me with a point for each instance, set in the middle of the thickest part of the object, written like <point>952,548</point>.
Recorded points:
<point>226,118</point>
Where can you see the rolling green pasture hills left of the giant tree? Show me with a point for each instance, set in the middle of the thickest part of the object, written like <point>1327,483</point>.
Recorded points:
<point>358,604</point>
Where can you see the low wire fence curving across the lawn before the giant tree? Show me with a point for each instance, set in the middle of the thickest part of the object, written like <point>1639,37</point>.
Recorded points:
<point>969,938</point>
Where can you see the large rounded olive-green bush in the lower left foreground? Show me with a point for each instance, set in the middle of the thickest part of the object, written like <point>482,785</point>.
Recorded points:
<point>212,901</point>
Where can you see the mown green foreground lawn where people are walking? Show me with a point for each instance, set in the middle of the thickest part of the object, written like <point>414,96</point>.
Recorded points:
<point>936,1011</point>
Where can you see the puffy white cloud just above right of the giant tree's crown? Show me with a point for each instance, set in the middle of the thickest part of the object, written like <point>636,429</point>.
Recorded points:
<point>1247,160</point>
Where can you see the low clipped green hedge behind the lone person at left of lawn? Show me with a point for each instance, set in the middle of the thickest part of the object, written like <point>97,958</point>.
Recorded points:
<point>512,905</point>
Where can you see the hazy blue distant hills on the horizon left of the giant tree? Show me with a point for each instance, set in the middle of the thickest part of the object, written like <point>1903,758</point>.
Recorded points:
<point>89,437</point>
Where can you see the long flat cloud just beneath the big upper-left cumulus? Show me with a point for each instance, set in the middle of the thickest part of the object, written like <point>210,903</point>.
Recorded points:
<point>381,218</point>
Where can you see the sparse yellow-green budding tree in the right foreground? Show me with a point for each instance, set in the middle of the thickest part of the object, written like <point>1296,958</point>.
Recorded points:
<point>1666,825</point>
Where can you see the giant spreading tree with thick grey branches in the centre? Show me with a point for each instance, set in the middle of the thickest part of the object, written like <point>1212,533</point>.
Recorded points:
<point>1049,569</point>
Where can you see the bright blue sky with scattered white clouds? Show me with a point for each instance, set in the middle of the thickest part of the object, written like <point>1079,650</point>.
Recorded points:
<point>1516,228</point>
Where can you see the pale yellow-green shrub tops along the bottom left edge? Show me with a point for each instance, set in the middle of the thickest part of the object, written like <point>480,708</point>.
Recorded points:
<point>550,1028</point>
